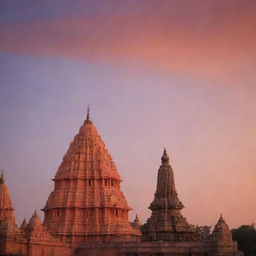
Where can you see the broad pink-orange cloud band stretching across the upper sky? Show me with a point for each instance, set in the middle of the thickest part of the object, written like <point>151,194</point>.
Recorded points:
<point>215,45</point>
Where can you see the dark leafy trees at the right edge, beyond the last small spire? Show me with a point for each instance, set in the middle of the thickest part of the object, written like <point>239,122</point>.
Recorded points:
<point>246,239</point>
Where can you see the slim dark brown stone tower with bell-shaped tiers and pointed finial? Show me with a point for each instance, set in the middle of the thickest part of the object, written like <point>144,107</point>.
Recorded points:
<point>166,221</point>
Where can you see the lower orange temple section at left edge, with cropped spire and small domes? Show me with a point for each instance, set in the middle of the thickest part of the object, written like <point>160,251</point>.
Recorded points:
<point>30,239</point>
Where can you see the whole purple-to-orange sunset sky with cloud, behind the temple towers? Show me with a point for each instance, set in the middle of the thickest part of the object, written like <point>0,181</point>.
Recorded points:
<point>174,74</point>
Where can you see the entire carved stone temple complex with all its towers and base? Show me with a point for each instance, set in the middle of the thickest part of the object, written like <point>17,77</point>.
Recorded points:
<point>86,214</point>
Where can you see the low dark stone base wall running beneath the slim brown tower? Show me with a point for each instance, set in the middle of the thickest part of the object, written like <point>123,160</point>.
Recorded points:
<point>158,248</point>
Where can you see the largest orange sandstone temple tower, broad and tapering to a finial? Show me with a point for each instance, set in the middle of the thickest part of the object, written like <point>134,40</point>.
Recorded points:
<point>87,203</point>
